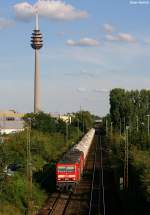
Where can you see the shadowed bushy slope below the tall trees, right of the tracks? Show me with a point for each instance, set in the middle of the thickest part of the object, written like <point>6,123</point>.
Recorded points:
<point>135,199</point>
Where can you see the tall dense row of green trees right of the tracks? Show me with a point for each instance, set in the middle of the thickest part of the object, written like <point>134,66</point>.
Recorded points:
<point>129,108</point>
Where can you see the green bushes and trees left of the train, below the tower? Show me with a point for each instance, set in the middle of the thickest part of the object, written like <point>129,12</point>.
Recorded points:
<point>49,139</point>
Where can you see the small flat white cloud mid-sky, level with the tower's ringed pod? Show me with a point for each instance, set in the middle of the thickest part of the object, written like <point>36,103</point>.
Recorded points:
<point>83,42</point>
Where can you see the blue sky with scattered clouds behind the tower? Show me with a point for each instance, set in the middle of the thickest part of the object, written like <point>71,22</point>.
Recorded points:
<point>90,47</point>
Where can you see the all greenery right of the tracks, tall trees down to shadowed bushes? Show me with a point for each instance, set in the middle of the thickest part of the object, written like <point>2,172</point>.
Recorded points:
<point>129,112</point>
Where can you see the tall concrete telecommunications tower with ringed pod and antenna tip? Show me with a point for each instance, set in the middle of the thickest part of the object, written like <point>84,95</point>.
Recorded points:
<point>36,44</point>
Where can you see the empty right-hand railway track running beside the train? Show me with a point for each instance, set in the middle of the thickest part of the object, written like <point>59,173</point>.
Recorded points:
<point>104,194</point>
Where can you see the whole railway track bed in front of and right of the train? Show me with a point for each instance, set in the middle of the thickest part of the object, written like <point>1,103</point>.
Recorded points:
<point>96,192</point>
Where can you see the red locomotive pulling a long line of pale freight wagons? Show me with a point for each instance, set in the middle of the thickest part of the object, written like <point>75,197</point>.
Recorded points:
<point>69,168</point>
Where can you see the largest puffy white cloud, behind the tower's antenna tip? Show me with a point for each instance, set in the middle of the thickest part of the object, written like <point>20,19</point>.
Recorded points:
<point>51,9</point>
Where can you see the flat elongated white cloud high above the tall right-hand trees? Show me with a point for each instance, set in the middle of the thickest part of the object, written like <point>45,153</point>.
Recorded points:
<point>123,37</point>
